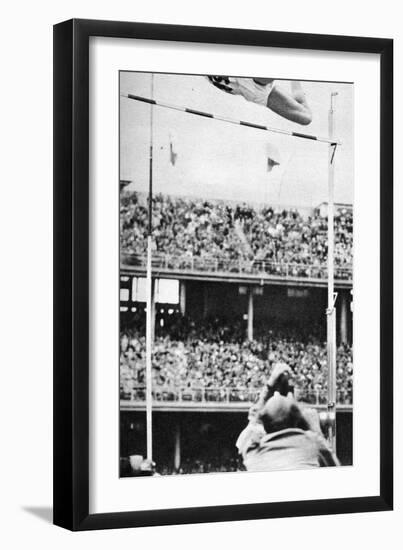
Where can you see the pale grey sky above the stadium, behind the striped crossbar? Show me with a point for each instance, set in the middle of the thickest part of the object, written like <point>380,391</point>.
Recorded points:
<point>217,160</point>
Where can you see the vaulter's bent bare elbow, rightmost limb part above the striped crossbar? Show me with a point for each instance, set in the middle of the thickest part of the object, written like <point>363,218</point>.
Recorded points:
<point>292,106</point>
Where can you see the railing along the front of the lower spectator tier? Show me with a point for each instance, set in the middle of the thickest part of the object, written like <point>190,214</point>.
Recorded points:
<point>228,395</point>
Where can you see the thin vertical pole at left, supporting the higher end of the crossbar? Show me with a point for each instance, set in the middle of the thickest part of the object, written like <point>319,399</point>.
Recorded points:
<point>149,292</point>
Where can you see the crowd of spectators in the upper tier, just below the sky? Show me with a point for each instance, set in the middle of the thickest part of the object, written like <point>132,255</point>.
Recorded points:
<point>235,237</point>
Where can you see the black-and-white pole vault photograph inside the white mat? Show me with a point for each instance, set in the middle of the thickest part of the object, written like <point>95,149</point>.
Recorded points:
<point>236,274</point>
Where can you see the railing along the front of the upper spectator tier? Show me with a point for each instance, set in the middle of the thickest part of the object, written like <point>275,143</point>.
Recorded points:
<point>263,268</point>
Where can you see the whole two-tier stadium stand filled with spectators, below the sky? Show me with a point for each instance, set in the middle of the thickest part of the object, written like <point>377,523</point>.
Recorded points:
<point>207,368</point>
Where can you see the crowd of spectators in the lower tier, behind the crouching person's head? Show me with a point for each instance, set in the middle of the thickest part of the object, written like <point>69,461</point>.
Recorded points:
<point>214,362</point>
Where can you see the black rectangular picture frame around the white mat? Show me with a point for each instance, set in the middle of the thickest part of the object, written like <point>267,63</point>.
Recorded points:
<point>71,274</point>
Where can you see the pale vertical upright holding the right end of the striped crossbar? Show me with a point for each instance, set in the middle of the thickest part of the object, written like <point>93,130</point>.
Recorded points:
<point>331,296</point>
